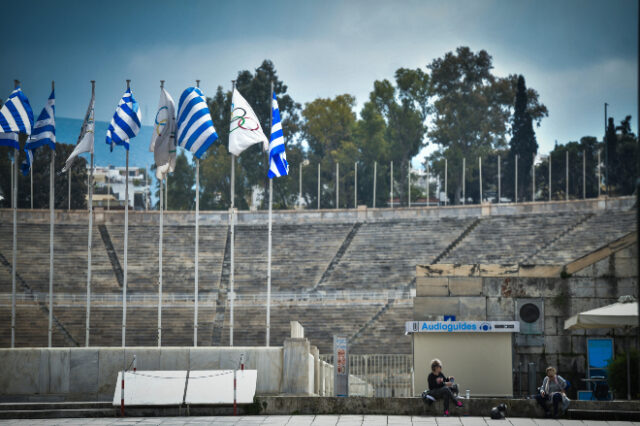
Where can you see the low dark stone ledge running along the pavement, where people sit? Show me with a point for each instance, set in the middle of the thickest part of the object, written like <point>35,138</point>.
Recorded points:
<point>284,405</point>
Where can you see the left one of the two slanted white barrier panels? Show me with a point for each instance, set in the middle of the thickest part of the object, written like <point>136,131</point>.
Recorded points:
<point>151,388</point>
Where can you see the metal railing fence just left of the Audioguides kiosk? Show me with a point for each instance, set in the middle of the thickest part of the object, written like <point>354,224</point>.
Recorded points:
<point>380,375</point>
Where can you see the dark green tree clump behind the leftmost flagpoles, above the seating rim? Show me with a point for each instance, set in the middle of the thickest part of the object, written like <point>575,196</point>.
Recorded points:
<point>41,166</point>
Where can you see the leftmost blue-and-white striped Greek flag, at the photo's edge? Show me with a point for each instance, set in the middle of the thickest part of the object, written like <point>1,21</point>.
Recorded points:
<point>16,116</point>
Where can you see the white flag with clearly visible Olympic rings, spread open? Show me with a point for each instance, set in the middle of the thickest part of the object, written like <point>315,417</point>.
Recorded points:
<point>245,127</point>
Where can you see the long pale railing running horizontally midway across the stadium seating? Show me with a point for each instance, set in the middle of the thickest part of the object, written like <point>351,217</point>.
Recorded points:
<point>210,299</point>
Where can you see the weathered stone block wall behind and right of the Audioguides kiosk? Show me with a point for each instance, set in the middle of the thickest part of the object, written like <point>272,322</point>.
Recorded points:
<point>494,292</point>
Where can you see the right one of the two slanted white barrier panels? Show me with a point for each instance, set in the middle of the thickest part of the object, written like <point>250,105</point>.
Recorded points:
<point>216,387</point>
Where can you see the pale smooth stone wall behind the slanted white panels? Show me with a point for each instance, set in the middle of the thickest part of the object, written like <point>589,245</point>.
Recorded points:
<point>89,374</point>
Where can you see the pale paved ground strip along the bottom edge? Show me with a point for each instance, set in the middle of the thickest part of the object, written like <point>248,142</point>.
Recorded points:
<point>324,420</point>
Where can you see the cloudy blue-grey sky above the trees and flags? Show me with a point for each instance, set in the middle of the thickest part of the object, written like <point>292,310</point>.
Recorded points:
<point>577,54</point>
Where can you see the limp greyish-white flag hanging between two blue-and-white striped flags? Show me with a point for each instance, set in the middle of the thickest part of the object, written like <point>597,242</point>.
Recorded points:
<point>163,140</point>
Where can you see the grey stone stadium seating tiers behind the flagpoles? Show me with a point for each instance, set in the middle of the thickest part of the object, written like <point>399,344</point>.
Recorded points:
<point>315,263</point>
